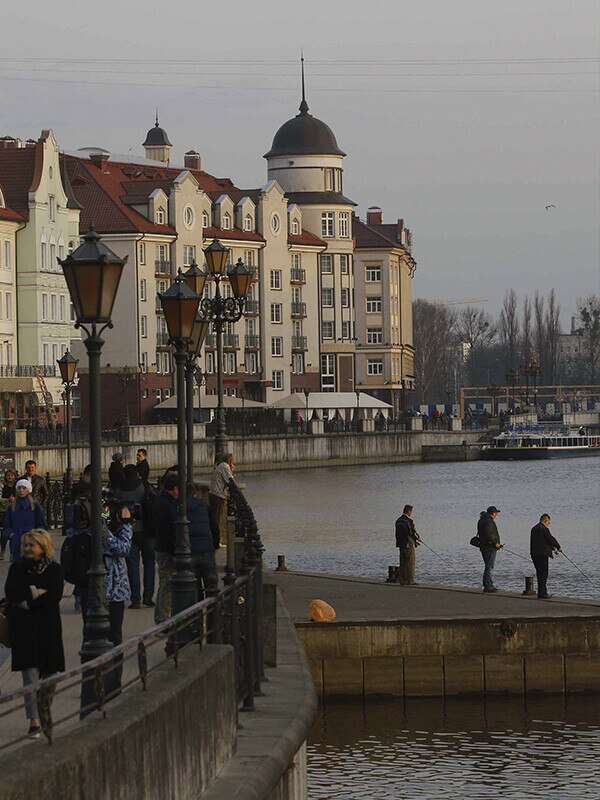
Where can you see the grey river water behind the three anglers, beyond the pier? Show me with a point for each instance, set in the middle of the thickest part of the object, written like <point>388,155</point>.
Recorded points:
<point>341,519</point>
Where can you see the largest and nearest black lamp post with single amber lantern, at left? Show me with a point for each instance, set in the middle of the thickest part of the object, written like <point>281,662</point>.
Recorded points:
<point>93,273</point>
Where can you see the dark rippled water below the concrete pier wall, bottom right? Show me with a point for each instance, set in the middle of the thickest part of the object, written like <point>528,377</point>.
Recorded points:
<point>419,748</point>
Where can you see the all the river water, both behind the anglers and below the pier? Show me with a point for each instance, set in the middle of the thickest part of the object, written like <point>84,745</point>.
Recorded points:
<point>341,520</point>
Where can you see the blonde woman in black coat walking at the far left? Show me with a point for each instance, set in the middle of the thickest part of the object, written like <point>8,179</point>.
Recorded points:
<point>33,589</point>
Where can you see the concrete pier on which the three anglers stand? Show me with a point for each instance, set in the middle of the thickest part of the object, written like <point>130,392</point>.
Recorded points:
<point>432,641</point>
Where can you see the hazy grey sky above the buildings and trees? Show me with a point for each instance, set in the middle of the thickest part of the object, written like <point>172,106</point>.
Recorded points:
<point>466,118</point>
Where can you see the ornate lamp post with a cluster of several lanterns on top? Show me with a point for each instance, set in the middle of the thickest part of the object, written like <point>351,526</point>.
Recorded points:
<point>219,311</point>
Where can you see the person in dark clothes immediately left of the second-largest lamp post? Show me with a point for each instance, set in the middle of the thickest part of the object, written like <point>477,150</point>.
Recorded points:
<point>165,515</point>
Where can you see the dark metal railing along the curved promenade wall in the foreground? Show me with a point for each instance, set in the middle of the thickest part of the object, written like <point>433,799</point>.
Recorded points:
<point>232,616</point>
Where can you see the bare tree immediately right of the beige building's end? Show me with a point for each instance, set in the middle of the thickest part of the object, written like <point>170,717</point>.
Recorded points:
<point>433,326</point>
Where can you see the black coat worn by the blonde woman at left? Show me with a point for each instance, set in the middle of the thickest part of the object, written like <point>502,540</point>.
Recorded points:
<point>35,624</point>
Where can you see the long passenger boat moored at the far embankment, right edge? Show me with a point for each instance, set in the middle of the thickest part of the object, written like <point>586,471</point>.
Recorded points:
<point>533,442</point>
